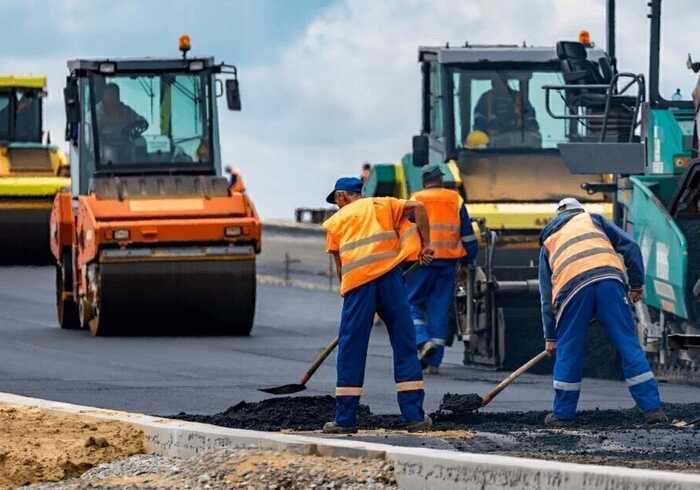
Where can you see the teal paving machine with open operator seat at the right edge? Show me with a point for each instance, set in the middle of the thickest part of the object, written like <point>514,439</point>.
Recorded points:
<point>656,190</point>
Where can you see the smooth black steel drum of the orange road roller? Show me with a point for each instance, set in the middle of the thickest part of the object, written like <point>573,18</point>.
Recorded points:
<point>175,296</point>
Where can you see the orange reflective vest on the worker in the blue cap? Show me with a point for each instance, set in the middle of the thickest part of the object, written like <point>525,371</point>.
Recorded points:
<point>371,242</point>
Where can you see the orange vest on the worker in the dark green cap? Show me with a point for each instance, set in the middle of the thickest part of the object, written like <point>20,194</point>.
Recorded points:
<point>443,206</point>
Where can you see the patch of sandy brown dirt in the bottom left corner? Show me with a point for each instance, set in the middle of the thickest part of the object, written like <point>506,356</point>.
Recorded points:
<point>37,445</point>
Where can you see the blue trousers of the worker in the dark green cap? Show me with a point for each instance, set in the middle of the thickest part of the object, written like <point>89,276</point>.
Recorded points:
<point>430,293</point>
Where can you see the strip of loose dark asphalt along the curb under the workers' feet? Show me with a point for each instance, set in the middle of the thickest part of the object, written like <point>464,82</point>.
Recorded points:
<point>611,437</point>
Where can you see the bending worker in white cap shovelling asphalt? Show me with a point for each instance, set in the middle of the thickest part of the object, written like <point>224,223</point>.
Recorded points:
<point>582,276</point>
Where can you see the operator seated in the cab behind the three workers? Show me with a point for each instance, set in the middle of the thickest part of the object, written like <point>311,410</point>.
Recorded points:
<point>502,112</point>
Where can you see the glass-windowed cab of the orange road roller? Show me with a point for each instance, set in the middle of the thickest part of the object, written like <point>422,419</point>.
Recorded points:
<point>136,117</point>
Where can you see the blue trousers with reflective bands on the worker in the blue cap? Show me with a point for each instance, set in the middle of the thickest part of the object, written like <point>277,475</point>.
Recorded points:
<point>385,295</point>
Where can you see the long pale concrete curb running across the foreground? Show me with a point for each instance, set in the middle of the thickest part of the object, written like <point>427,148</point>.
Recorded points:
<point>415,468</point>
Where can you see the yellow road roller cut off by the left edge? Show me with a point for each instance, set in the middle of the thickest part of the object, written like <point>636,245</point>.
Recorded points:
<point>31,171</point>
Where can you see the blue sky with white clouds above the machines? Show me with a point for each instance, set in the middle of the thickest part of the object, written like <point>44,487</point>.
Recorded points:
<point>325,84</point>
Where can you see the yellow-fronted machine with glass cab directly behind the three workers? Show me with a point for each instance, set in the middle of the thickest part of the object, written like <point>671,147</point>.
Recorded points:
<point>485,120</point>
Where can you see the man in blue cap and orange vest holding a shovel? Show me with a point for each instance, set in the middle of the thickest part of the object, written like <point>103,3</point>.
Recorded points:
<point>370,238</point>
